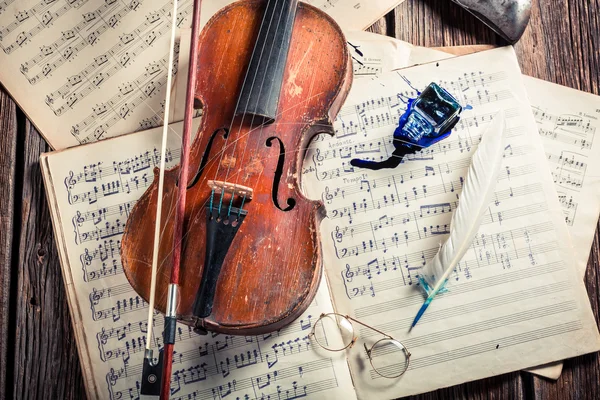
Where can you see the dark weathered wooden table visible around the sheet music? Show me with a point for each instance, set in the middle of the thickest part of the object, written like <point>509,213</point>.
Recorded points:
<point>38,356</point>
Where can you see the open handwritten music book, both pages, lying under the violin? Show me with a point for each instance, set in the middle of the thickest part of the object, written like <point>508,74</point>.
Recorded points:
<point>515,301</point>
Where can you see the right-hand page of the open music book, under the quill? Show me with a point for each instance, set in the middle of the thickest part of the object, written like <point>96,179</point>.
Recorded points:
<point>515,301</point>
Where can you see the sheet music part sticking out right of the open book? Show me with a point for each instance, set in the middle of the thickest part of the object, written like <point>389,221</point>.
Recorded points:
<point>569,125</point>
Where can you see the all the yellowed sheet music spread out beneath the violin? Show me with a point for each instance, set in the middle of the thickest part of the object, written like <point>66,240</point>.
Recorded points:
<point>515,301</point>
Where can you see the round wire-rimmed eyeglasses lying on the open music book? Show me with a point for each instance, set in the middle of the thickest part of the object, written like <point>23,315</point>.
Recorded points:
<point>388,357</point>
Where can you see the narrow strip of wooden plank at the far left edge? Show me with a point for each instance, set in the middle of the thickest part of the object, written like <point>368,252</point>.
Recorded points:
<point>8,149</point>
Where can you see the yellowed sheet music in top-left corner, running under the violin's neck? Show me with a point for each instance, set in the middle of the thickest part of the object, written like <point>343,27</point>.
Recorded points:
<point>87,70</point>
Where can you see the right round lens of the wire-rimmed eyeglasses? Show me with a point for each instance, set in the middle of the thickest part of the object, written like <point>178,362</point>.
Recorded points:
<point>389,358</point>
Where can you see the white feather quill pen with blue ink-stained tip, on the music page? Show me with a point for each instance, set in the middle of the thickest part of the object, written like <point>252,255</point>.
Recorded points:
<point>476,195</point>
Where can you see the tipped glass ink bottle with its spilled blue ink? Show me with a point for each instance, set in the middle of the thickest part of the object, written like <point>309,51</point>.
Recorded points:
<point>428,119</point>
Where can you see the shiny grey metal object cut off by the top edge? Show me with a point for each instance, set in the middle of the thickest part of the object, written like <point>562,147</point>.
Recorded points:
<point>508,18</point>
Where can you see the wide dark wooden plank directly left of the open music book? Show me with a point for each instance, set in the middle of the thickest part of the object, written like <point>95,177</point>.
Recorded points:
<point>46,364</point>
